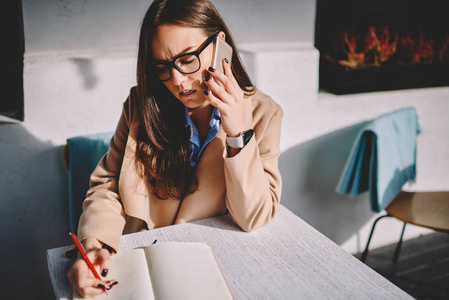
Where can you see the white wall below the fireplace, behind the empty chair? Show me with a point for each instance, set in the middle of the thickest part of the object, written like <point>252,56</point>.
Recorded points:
<point>318,132</point>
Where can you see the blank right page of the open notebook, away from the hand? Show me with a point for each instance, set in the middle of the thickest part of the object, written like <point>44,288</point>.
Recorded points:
<point>185,271</point>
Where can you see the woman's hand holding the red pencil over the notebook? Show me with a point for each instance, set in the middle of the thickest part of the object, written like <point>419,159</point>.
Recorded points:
<point>80,276</point>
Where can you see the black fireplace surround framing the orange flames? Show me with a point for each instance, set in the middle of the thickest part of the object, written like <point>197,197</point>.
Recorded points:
<point>401,14</point>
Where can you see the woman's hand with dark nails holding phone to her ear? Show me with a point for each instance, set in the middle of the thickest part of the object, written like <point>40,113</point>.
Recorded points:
<point>228,97</point>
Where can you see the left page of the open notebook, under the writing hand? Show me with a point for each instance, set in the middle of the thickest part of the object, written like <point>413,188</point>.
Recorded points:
<point>130,269</point>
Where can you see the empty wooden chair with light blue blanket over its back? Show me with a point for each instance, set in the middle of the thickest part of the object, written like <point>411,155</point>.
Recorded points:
<point>382,160</point>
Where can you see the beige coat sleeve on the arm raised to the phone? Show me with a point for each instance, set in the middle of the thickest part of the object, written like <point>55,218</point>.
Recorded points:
<point>253,180</point>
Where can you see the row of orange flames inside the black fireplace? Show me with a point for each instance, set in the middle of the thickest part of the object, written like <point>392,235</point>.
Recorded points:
<point>380,45</point>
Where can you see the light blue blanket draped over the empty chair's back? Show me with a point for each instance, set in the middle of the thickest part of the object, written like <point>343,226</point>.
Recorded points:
<point>383,158</point>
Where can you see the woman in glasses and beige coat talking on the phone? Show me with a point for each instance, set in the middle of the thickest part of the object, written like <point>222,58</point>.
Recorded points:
<point>169,160</point>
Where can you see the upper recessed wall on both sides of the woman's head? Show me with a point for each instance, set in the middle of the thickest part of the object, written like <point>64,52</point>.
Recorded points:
<point>55,26</point>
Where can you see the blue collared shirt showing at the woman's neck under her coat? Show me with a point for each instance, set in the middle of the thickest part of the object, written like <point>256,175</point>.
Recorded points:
<point>195,141</point>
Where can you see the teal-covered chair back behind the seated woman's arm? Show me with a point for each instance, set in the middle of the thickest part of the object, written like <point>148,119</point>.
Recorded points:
<point>81,156</point>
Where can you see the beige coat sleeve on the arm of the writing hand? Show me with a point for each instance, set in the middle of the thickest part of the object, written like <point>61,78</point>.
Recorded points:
<point>103,215</point>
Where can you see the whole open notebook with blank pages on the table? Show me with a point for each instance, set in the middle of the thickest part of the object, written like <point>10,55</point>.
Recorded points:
<point>165,271</point>
